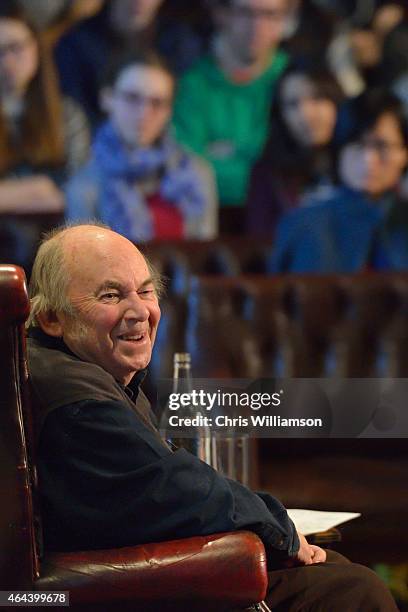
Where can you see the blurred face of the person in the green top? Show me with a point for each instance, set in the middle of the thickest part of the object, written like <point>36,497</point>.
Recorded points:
<point>253,27</point>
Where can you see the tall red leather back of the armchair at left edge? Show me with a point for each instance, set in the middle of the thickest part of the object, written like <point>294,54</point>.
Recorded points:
<point>18,559</point>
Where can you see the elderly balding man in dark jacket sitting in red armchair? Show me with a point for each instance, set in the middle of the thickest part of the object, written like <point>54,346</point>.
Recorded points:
<point>106,477</point>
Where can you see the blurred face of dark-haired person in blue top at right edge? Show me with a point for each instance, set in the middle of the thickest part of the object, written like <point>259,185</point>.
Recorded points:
<point>375,164</point>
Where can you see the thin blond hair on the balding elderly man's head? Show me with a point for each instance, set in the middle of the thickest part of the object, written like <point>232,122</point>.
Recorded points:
<point>50,277</point>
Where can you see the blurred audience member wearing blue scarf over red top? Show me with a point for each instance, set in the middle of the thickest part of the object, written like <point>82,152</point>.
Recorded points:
<point>139,180</point>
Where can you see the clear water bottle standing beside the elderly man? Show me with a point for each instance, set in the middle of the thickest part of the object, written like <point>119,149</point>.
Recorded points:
<point>194,438</point>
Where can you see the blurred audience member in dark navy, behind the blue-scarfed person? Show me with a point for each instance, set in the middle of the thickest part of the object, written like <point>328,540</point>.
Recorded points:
<point>121,26</point>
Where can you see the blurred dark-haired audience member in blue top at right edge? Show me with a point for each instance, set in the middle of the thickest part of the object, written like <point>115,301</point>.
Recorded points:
<point>364,224</point>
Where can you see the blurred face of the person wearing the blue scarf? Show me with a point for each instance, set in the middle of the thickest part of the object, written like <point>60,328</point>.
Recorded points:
<point>140,103</point>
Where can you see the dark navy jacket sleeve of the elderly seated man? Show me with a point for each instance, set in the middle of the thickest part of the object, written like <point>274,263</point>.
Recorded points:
<point>107,481</point>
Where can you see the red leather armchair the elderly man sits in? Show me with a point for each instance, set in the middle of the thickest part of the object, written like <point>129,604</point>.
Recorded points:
<point>219,572</point>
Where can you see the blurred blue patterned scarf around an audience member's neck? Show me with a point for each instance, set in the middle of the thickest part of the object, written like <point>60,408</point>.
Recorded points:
<point>122,205</point>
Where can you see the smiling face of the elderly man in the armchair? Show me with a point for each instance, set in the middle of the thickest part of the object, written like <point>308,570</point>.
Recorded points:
<point>116,306</point>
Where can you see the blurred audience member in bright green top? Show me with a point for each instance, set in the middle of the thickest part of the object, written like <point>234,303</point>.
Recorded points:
<point>223,101</point>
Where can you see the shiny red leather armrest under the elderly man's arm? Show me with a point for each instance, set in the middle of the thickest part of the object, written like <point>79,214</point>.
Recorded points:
<point>222,568</point>
